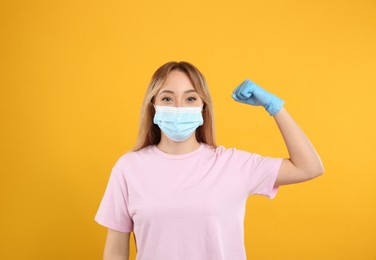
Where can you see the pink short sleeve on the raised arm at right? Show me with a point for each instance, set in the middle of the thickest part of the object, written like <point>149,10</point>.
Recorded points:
<point>259,173</point>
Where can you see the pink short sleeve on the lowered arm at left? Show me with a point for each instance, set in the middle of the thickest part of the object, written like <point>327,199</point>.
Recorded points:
<point>113,209</point>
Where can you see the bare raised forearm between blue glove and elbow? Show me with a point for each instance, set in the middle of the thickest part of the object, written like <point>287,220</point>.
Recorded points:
<point>302,153</point>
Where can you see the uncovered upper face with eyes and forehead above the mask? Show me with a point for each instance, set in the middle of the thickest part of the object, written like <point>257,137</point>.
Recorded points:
<point>177,91</point>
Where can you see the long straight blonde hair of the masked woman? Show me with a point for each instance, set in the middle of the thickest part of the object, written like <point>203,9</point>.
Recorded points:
<point>149,133</point>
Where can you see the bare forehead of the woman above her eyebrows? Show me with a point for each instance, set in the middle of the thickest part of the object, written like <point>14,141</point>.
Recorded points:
<point>177,81</point>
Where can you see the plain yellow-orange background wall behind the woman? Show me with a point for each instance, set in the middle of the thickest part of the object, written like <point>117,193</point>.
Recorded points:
<point>73,75</point>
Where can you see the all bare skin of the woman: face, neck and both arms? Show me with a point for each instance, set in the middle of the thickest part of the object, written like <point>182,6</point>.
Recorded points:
<point>304,163</point>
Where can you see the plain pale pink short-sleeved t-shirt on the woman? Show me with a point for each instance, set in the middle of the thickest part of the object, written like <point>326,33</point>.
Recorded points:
<point>189,206</point>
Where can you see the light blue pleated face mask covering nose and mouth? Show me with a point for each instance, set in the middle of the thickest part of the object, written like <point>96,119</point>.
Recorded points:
<point>178,123</point>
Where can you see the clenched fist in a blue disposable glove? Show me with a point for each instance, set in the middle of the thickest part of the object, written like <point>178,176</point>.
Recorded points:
<point>250,93</point>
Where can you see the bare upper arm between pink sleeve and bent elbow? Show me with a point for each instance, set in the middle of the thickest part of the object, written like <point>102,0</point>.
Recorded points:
<point>289,174</point>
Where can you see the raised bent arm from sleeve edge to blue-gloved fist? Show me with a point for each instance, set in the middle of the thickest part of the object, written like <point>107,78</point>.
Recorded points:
<point>304,162</point>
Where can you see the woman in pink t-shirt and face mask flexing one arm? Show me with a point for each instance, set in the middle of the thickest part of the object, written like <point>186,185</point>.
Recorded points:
<point>182,195</point>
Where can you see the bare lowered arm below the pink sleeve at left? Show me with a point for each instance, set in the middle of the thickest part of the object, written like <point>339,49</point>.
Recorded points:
<point>117,245</point>
